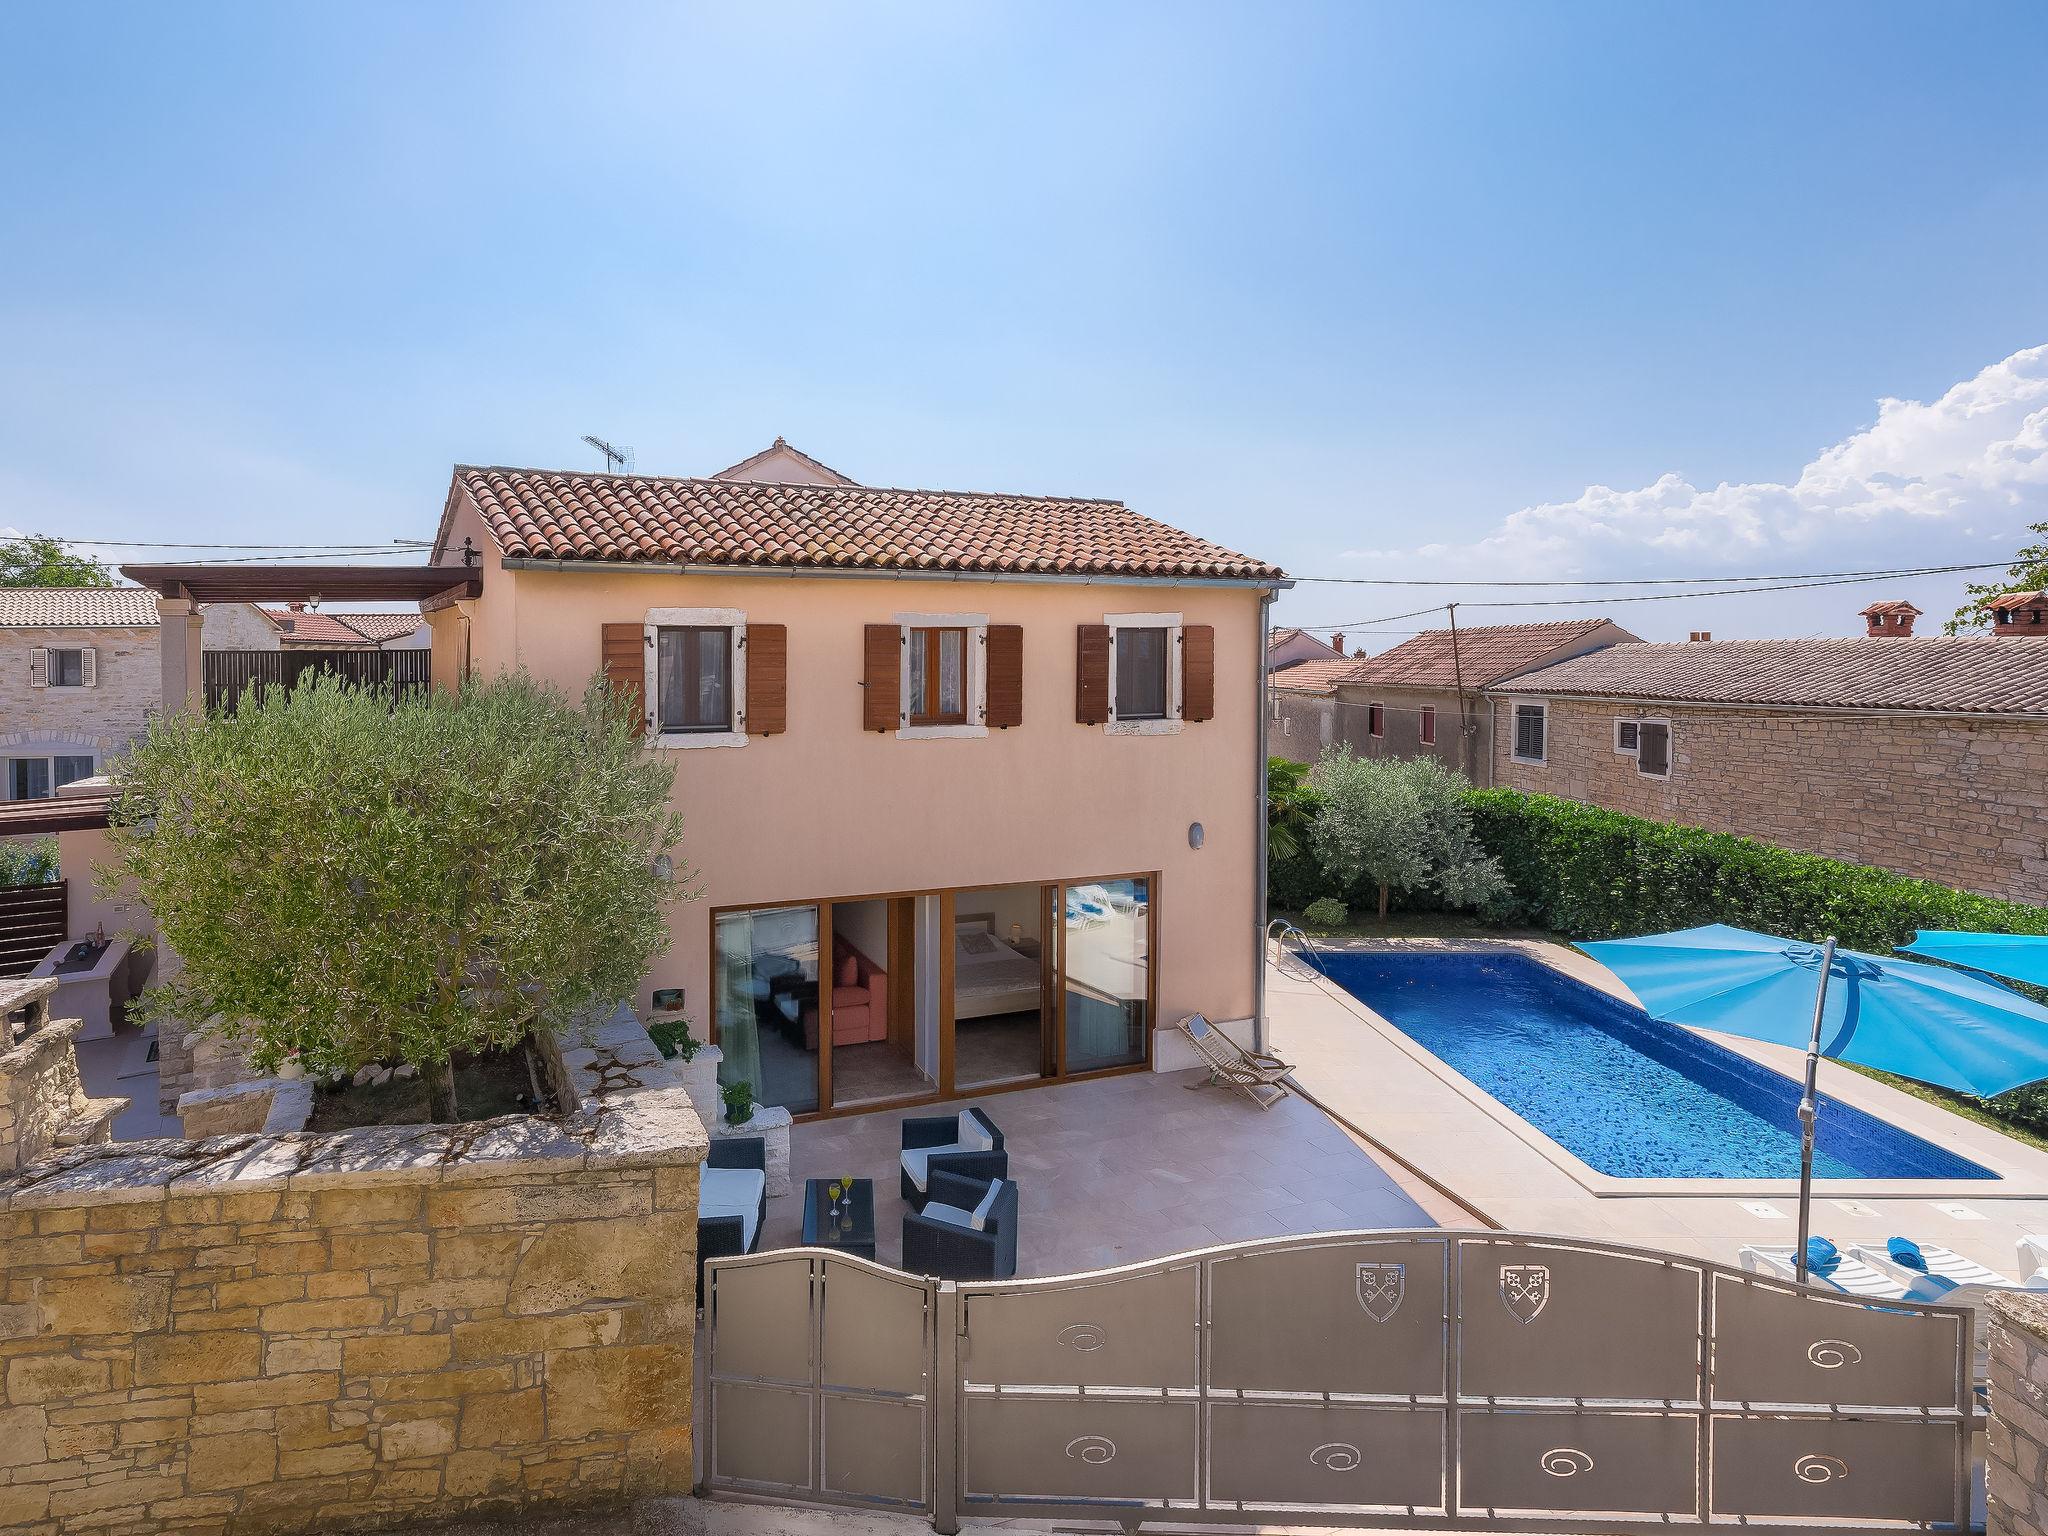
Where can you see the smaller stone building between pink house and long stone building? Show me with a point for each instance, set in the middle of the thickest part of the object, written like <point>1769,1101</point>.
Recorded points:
<point>1424,697</point>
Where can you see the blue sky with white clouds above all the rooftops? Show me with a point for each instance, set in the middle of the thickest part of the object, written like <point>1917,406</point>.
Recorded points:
<point>1363,290</point>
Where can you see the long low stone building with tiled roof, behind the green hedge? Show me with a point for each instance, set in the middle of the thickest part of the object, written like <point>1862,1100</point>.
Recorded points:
<point>1918,755</point>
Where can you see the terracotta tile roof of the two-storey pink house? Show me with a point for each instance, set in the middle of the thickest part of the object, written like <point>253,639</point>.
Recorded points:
<point>591,517</point>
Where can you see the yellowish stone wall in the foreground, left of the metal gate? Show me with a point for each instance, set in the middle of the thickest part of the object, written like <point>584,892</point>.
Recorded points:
<point>282,1334</point>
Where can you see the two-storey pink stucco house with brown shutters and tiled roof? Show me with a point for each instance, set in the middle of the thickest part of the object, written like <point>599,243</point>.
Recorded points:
<point>972,783</point>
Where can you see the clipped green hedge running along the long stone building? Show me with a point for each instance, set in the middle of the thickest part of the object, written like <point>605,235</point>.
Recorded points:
<point>1590,873</point>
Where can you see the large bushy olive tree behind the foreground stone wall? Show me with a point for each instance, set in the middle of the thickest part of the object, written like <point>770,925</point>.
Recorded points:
<point>357,880</point>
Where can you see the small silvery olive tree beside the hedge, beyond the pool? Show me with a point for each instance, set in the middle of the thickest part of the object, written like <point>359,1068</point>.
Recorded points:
<point>1398,824</point>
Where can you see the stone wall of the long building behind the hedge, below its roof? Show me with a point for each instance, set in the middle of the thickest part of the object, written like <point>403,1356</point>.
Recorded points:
<point>1945,798</point>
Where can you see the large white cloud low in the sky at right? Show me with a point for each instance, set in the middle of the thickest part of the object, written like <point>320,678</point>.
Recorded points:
<point>1928,482</point>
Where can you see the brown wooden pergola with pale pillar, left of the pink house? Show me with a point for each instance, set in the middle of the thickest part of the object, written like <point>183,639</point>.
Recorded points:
<point>183,589</point>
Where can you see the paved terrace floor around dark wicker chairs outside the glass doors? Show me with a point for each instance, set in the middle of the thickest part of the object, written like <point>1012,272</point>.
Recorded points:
<point>1134,1168</point>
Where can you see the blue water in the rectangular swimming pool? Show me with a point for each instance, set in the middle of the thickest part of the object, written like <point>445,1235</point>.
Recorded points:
<point>1617,1089</point>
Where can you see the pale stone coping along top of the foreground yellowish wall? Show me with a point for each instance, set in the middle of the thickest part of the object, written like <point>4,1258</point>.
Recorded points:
<point>624,1132</point>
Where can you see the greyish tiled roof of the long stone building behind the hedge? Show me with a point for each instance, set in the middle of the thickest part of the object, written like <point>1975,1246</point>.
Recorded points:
<point>1934,673</point>
